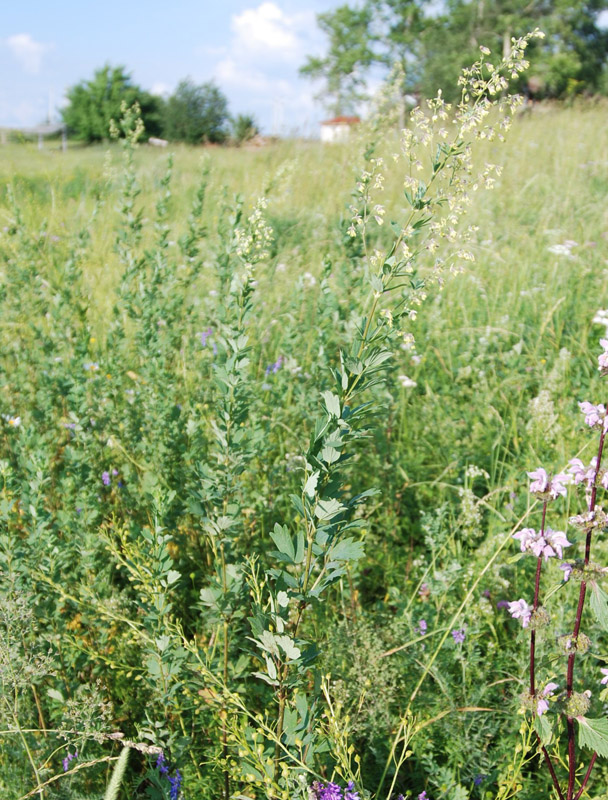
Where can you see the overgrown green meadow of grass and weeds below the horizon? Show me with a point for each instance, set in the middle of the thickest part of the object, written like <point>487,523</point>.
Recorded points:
<point>161,410</point>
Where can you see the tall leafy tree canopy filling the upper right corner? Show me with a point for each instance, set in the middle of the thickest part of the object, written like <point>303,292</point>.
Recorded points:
<point>432,43</point>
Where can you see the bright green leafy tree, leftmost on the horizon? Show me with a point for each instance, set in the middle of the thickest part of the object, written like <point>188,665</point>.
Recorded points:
<point>92,104</point>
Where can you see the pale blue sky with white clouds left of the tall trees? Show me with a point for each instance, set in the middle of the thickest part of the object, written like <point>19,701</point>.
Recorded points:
<point>251,48</point>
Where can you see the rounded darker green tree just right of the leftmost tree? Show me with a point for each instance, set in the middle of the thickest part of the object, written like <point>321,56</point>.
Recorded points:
<point>196,113</point>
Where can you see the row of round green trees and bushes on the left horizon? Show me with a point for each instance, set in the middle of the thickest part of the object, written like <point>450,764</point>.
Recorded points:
<point>194,113</point>
